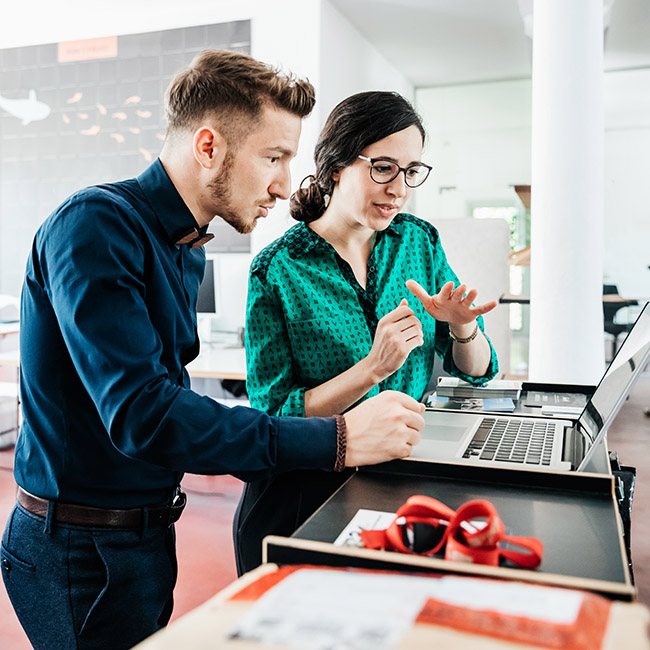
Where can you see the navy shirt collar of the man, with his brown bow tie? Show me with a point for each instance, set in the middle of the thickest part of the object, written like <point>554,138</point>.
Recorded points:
<point>173,214</point>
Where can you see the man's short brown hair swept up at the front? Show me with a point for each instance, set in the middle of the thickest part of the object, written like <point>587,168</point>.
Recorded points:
<point>230,86</point>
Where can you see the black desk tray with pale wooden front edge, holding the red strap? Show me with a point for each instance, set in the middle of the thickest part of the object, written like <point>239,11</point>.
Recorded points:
<point>529,502</point>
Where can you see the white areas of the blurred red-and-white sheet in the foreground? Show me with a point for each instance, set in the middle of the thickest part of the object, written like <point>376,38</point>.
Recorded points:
<point>343,610</point>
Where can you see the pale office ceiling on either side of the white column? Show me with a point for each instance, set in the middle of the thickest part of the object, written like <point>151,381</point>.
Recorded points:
<point>442,42</point>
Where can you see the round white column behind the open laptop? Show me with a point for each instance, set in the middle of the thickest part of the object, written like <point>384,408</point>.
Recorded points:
<point>566,313</point>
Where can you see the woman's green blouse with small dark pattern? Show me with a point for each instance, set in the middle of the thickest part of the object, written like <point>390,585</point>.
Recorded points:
<point>308,319</point>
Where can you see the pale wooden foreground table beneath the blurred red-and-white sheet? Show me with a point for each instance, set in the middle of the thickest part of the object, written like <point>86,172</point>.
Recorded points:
<point>208,625</point>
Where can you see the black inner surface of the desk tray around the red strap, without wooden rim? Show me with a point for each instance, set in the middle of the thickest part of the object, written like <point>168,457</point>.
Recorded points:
<point>575,519</point>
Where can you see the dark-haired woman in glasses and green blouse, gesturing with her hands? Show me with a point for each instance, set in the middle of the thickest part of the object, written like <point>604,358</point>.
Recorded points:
<point>355,299</point>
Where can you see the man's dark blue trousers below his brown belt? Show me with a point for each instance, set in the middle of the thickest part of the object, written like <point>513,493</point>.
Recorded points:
<point>84,588</point>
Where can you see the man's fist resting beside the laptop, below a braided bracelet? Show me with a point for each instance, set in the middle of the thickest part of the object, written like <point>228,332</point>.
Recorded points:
<point>383,428</point>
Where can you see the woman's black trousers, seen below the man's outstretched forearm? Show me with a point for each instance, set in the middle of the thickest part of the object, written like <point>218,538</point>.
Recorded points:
<point>277,506</point>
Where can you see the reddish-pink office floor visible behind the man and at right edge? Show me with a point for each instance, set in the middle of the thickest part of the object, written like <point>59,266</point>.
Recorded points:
<point>206,561</point>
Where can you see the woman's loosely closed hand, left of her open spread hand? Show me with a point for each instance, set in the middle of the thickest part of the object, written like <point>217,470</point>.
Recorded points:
<point>398,333</point>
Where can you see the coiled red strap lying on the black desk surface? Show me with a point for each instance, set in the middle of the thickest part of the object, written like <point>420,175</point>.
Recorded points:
<point>465,542</point>
